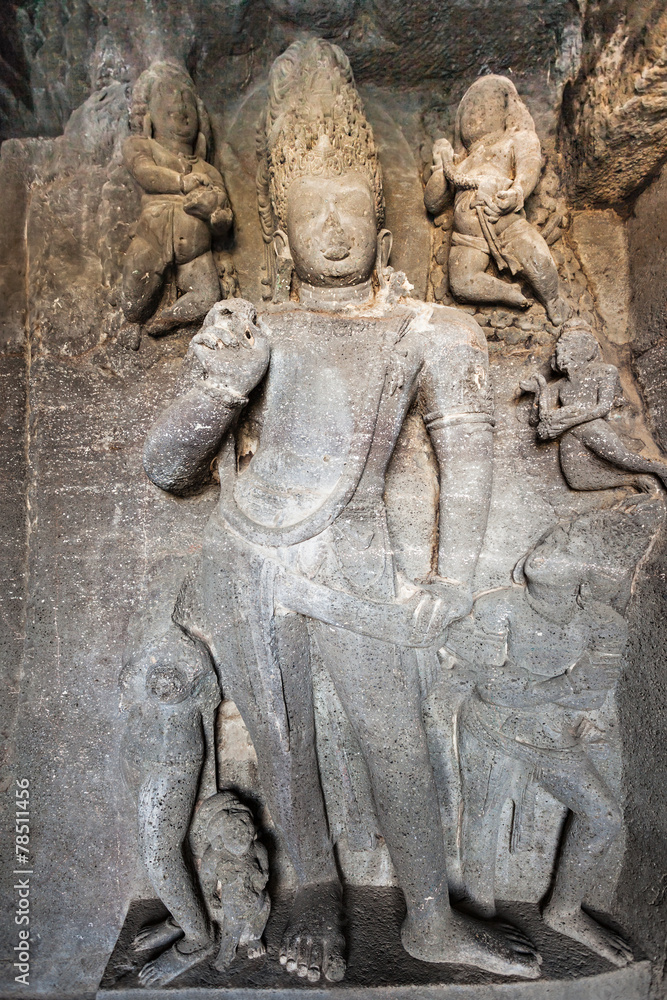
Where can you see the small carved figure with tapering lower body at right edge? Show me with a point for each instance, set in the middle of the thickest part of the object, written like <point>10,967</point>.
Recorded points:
<point>576,409</point>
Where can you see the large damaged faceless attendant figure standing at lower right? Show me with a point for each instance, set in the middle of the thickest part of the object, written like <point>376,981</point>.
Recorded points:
<point>545,656</point>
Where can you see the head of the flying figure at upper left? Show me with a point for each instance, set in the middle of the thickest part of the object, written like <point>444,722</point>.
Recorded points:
<point>166,107</point>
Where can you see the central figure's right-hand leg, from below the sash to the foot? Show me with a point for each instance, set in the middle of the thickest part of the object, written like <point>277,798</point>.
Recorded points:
<point>381,696</point>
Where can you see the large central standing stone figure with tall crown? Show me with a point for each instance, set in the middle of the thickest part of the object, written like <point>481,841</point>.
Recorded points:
<point>298,551</point>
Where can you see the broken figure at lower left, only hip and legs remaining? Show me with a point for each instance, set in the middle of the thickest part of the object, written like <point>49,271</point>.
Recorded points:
<point>170,693</point>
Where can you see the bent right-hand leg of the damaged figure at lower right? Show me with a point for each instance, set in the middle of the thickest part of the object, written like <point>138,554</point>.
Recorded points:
<point>595,823</point>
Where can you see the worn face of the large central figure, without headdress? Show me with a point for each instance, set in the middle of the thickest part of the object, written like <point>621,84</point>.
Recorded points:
<point>332,229</point>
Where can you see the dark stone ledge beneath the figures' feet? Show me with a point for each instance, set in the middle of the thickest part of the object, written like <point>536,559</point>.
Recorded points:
<point>378,967</point>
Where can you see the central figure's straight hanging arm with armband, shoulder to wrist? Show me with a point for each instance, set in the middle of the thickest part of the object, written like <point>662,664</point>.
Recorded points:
<point>458,414</point>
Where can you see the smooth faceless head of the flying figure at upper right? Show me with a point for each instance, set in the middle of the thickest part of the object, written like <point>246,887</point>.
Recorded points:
<point>490,105</point>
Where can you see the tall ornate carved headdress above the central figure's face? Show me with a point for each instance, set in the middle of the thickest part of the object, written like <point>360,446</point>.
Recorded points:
<point>314,125</point>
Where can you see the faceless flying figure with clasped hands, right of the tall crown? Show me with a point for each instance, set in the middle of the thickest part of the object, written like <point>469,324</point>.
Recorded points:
<point>493,167</point>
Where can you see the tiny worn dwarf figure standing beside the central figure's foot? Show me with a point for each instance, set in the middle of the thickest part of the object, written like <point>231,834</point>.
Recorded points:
<point>233,872</point>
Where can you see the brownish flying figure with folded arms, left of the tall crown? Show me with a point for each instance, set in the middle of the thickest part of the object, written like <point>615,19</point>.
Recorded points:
<point>184,203</point>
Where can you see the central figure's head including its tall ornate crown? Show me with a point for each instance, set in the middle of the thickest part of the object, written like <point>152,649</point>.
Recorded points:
<point>319,180</point>
